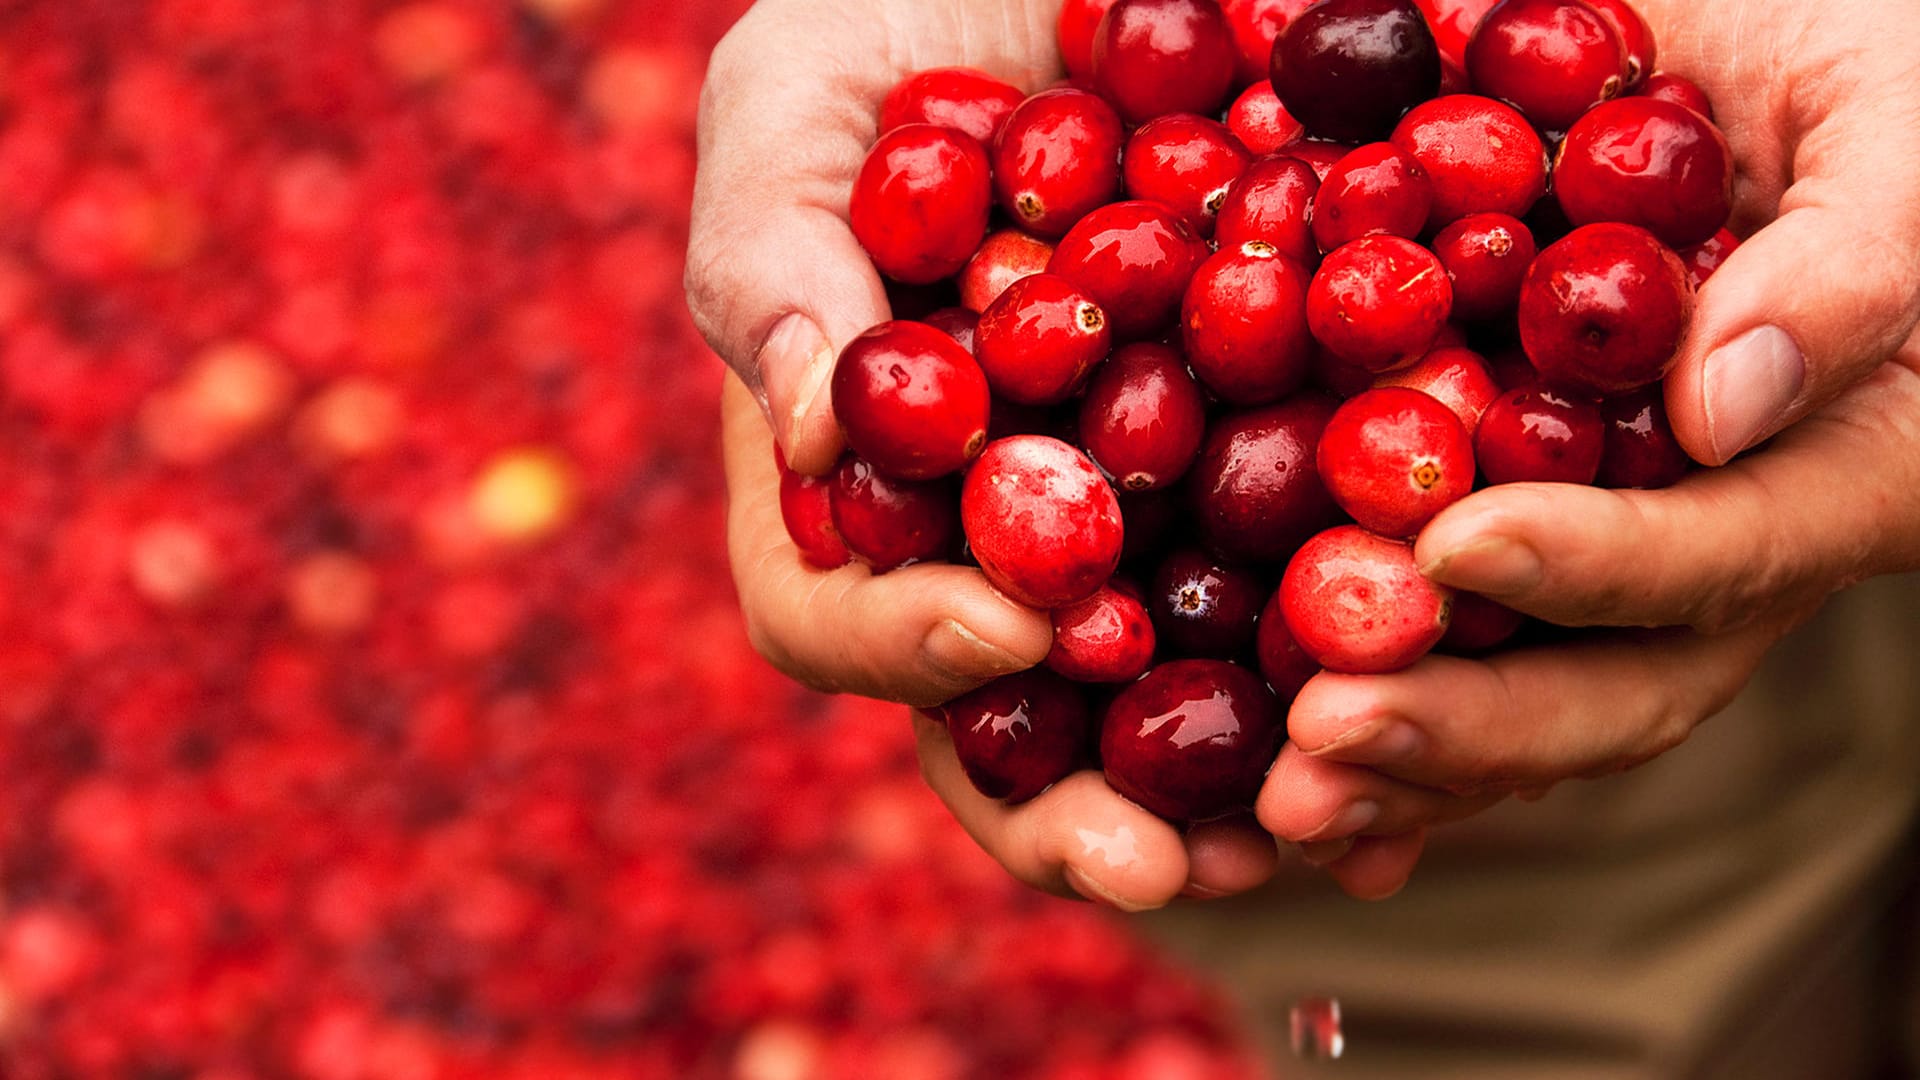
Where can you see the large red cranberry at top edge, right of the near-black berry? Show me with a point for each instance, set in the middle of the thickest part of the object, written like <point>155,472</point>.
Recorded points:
<point>1550,59</point>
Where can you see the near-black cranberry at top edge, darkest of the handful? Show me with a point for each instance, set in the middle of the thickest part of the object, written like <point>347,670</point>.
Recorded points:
<point>1351,68</point>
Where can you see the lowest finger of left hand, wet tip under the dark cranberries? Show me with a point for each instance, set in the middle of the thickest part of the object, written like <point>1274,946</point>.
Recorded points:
<point>1074,839</point>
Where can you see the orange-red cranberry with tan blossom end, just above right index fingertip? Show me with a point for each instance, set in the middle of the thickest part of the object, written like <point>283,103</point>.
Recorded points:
<point>1395,458</point>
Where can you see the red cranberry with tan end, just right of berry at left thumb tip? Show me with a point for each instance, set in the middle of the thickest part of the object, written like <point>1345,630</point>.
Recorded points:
<point>1040,341</point>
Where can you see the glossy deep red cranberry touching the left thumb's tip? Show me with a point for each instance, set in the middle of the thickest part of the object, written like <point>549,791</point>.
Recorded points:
<point>911,401</point>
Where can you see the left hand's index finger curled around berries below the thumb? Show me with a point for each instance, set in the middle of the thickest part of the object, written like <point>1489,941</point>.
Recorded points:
<point>919,635</point>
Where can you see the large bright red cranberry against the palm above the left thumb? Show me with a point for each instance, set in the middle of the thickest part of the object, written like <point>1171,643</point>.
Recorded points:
<point>921,203</point>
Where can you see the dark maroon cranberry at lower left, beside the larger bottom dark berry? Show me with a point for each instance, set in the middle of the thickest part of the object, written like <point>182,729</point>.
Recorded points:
<point>1020,733</point>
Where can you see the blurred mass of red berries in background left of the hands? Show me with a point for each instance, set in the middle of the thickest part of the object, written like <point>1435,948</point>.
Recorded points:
<point>373,702</point>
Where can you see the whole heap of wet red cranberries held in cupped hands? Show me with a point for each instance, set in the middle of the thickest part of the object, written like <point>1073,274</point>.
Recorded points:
<point>1201,353</point>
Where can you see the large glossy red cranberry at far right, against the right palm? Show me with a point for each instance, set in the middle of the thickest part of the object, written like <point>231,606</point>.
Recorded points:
<point>1652,164</point>
